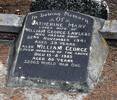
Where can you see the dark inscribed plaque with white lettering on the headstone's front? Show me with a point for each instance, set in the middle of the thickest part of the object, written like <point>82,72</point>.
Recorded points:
<point>54,45</point>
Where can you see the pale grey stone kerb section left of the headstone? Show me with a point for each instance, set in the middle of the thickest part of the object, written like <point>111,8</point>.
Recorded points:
<point>10,23</point>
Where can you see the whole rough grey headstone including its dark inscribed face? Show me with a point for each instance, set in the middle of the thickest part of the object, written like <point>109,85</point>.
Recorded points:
<point>58,49</point>
